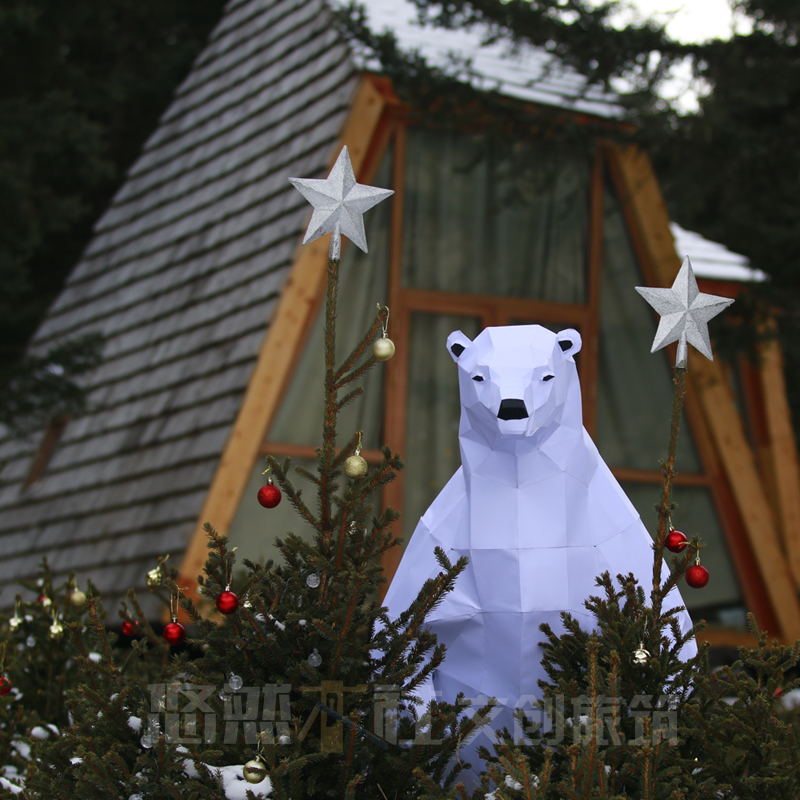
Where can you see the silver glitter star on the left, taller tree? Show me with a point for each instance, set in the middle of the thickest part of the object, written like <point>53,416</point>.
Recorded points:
<point>339,203</point>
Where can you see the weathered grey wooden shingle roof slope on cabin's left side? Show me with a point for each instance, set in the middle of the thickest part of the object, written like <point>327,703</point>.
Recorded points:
<point>181,277</point>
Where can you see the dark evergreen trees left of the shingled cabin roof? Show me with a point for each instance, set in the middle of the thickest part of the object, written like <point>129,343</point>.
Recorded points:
<point>82,85</point>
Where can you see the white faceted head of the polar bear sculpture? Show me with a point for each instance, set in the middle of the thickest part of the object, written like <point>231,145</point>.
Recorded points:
<point>518,379</point>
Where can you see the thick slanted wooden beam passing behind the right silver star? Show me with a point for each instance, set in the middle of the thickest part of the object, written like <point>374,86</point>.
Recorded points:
<point>642,198</point>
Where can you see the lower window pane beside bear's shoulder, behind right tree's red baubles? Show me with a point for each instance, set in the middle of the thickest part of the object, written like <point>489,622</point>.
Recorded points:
<point>720,602</point>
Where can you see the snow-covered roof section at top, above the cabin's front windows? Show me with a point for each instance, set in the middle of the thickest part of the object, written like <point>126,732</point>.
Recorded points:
<point>527,74</point>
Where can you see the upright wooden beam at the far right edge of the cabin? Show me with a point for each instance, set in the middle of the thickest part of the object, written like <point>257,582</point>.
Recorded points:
<point>781,453</point>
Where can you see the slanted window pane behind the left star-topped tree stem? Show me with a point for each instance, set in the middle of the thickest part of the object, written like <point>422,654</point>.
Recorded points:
<point>362,284</point>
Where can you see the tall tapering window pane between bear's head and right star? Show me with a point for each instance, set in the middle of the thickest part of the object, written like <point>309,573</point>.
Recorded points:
<point>634,392</point>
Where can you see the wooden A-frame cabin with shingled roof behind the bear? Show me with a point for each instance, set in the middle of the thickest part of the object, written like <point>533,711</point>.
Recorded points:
<point>209,308</point>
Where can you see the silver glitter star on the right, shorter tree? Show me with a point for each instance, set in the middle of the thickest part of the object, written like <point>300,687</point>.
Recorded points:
<point>685,312</point>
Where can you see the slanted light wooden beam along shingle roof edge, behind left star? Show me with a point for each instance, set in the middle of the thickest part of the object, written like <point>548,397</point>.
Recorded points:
<point>278,352</point>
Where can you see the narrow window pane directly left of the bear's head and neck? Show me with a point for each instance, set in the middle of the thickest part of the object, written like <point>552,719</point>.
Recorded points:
<point>434,408</point>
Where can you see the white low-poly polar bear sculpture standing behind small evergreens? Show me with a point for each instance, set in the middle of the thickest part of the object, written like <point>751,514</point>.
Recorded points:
<point>536,510</point>
